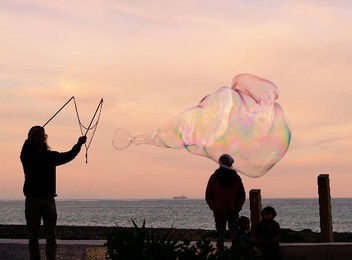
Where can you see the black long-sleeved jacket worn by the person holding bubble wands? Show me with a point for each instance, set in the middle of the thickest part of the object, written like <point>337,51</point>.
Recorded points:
<point>40,169</point>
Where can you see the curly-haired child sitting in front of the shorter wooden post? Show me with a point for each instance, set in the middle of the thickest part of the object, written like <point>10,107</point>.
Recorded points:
<point>267,234</point>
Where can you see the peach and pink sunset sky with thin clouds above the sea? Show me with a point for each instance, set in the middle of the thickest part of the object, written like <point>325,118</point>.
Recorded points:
<point>150,60</point>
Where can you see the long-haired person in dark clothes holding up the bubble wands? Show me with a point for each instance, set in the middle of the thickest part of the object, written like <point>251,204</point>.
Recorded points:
<point>39,165</point>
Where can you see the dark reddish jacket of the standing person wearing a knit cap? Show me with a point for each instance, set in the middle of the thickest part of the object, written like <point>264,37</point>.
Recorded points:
<point>225,194</point>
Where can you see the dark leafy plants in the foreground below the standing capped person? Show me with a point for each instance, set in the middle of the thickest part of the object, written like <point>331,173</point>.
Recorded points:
<point>142,243</point>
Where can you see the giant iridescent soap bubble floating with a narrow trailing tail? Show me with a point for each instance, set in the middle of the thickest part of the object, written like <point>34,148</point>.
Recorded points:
<point>242,120</point>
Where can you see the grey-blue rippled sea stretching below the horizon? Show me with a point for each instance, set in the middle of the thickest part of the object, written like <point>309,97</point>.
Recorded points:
<point>296,214</point>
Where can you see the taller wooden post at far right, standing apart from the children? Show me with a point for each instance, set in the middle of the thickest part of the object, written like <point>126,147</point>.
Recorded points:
<point>325,208</point>
